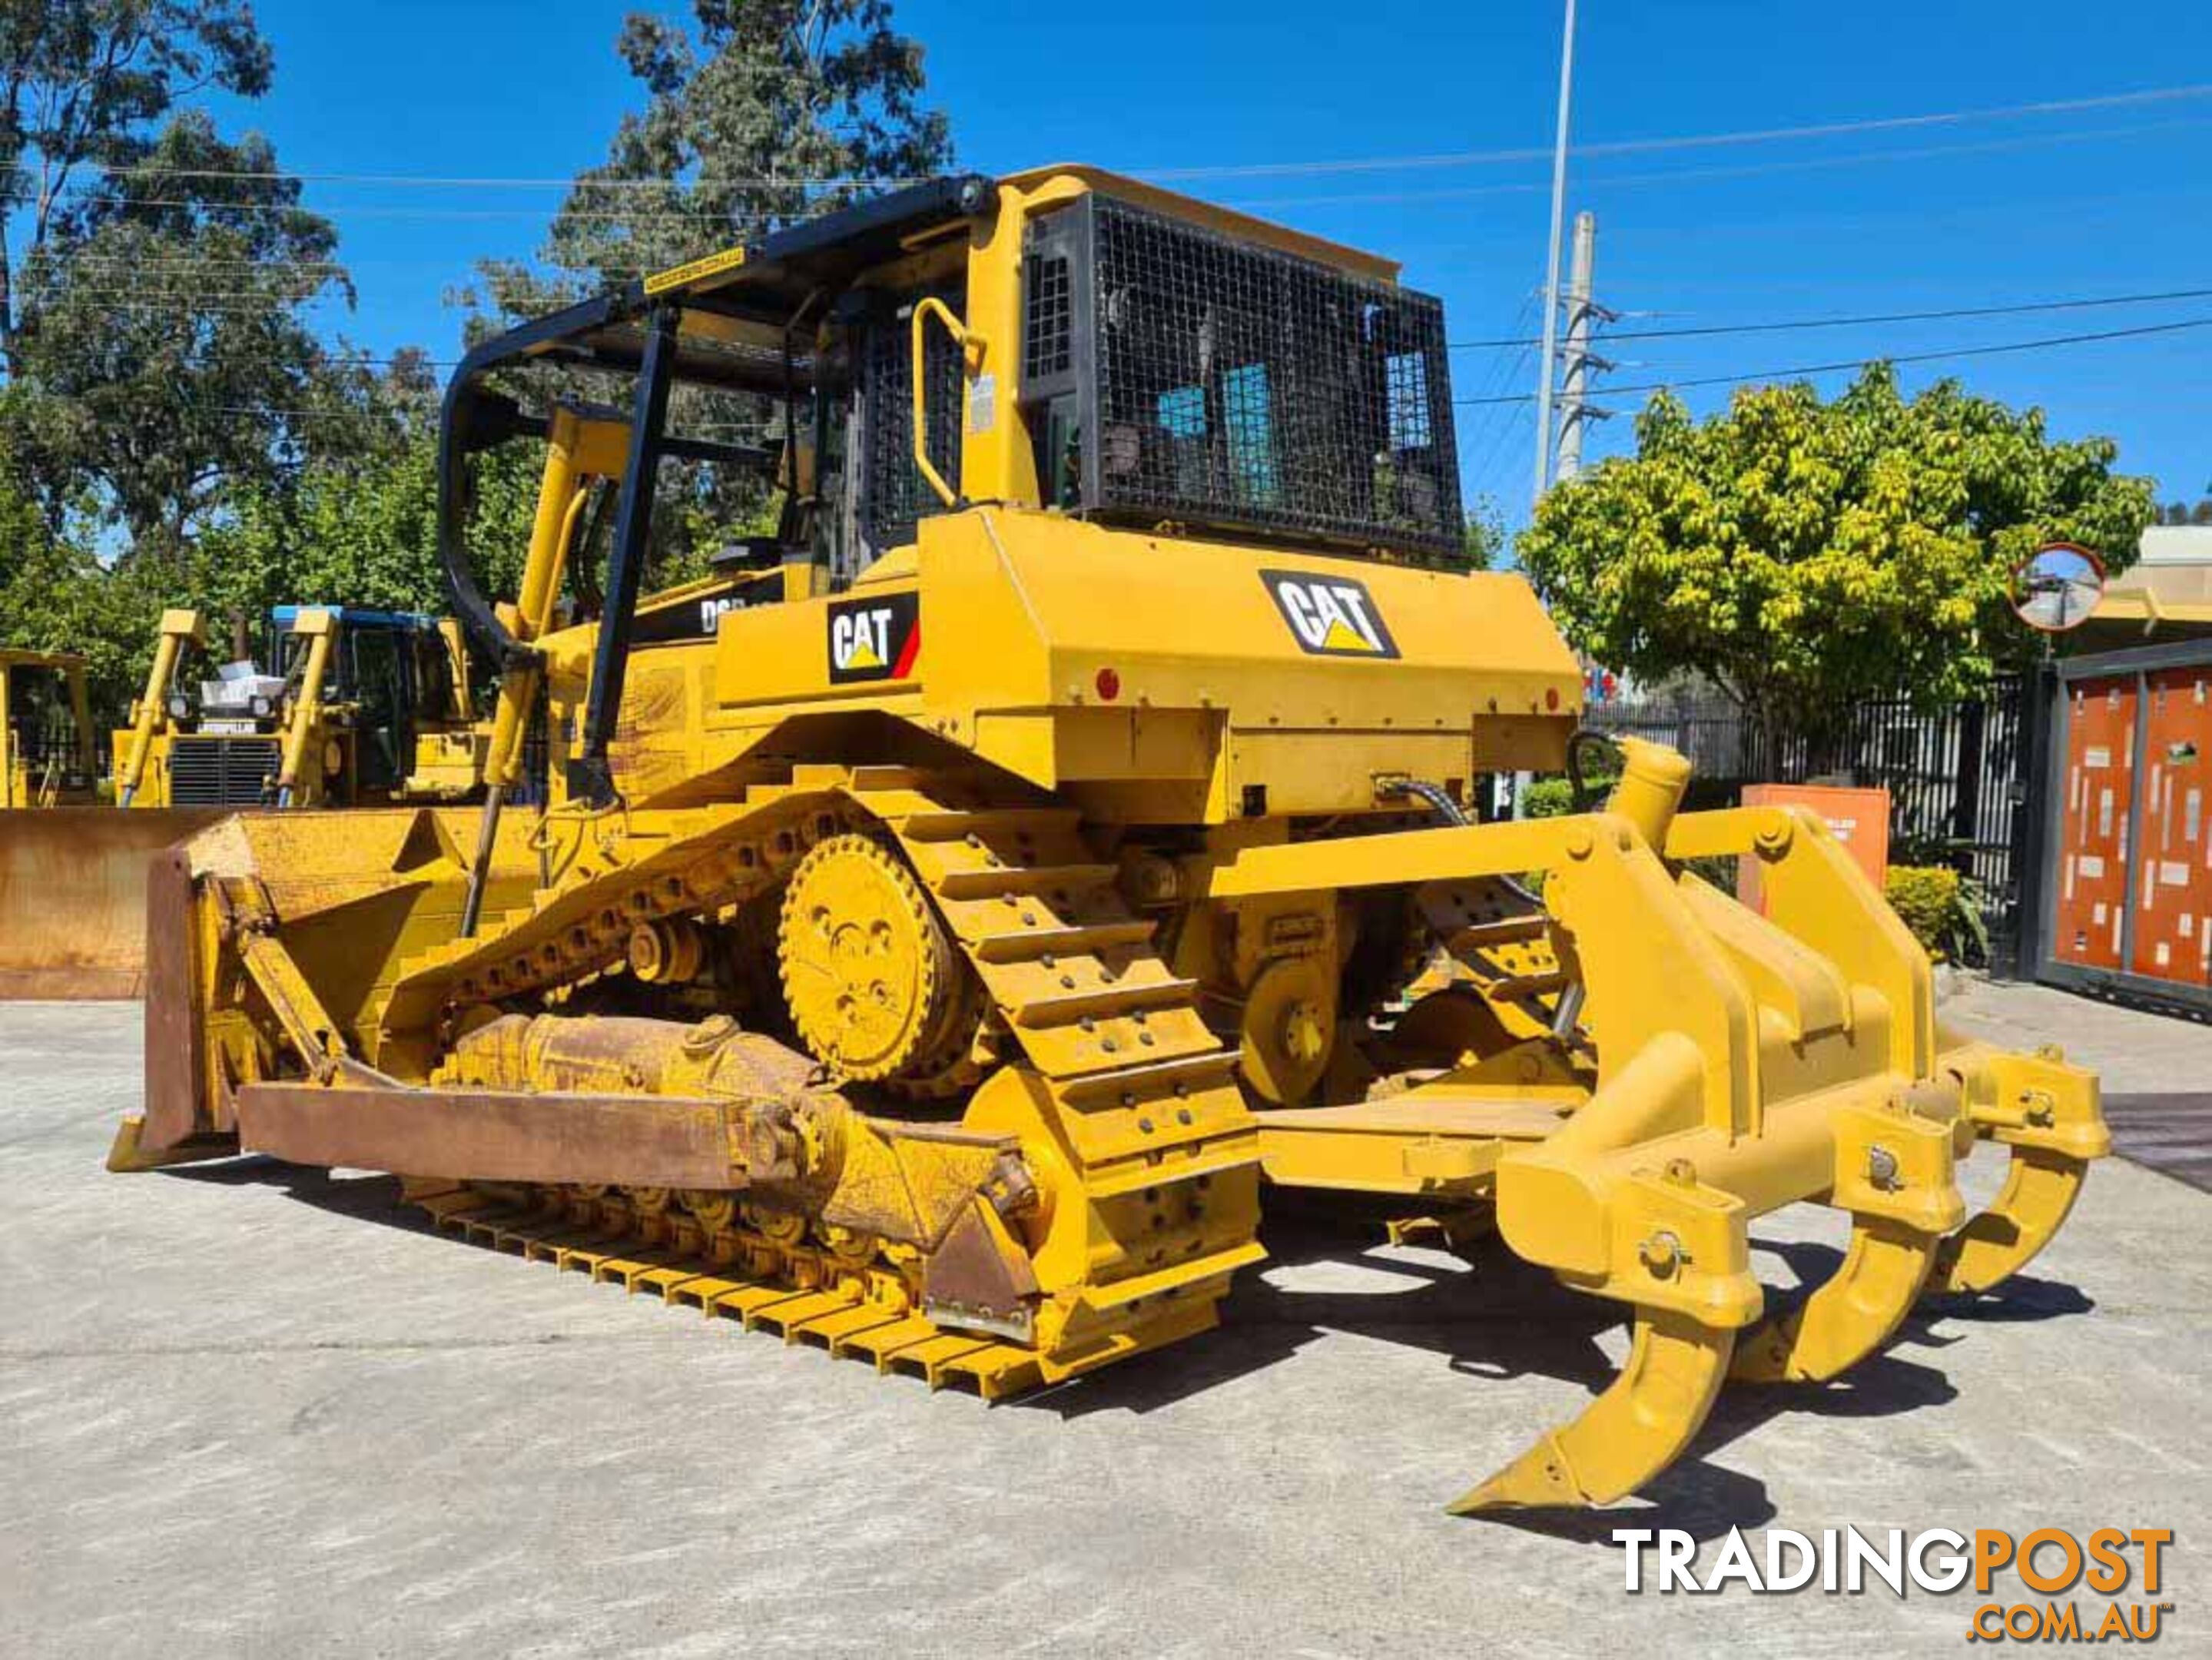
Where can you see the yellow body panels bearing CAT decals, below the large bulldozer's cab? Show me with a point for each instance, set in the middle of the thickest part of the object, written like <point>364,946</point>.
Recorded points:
<point>1156,681</point>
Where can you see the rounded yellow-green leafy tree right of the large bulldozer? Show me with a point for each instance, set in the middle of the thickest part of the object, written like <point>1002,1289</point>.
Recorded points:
<point>1806,554</point>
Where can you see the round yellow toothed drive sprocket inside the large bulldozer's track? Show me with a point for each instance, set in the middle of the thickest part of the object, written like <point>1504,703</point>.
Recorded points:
<point>873,982</point>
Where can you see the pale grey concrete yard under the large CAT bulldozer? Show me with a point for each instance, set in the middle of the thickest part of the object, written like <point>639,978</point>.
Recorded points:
<point>253,1411</point>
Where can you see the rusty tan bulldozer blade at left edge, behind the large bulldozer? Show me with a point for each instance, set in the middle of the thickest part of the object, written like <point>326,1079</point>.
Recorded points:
<point>74,900</point>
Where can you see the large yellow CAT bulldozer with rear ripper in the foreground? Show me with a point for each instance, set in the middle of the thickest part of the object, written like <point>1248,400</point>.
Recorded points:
<point>961,913</point>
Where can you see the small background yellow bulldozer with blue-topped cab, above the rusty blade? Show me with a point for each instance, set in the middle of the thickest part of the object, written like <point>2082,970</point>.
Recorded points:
<point>362,707</point>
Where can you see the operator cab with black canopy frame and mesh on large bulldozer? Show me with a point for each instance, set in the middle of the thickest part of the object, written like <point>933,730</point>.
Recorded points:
<point>1058,340</point>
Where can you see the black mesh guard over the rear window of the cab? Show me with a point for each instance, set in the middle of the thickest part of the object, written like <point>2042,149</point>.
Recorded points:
<point>1180,375</point>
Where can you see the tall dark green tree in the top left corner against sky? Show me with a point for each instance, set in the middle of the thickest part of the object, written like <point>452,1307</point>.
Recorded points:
<point>154,318</point>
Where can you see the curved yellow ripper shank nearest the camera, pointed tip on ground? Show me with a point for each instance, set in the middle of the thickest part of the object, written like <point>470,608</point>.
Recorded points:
<point>1629,1433</point>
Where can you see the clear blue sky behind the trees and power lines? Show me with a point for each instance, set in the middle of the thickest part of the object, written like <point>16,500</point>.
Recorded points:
<point>1992,211</point>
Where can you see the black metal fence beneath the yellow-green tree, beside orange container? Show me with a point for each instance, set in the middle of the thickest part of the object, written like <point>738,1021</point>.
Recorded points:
<point>1954,776</point>
